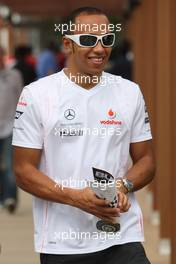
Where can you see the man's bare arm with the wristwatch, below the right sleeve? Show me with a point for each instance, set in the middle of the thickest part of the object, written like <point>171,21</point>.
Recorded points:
<point>143,170</point>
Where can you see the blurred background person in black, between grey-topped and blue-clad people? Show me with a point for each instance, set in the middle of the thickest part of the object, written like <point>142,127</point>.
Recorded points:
<point>27,70</point>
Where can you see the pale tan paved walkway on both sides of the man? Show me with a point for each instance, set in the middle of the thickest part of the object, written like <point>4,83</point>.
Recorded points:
<point>16,235</point>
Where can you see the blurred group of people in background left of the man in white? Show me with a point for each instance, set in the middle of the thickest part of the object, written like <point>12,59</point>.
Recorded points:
<point>23,69</point>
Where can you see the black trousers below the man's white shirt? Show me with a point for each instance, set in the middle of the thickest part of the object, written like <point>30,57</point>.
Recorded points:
<point>130,253</point>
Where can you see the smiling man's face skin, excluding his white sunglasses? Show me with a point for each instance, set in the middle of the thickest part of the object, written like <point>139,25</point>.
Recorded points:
<point>91,60</point>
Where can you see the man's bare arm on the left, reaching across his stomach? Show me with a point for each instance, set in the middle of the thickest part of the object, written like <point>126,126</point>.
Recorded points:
<point>31,180</point>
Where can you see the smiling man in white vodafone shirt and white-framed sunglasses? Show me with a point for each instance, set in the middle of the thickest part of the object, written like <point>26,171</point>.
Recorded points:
<point>64,132</point>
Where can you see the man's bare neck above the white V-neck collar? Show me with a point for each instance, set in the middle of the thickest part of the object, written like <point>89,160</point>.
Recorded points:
<point>84,80</point>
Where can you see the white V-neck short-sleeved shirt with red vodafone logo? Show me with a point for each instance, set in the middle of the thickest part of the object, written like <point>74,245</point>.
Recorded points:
<point>78,129</point>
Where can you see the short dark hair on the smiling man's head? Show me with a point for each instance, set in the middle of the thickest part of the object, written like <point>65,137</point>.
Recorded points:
<point>87,10</point>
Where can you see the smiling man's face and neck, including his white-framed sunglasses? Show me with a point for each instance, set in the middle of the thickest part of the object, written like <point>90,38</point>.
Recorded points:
<point>92,50</point>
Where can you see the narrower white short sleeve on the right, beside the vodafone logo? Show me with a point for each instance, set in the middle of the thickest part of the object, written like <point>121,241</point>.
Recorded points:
<point>141,130</point>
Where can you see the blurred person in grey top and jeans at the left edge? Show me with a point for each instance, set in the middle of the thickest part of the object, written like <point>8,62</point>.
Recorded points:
<point>10,89</point>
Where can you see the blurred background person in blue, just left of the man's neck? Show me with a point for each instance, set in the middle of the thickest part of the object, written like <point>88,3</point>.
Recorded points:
<point>47,63</point>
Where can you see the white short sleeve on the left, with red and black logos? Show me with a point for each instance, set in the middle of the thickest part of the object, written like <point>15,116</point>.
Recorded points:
<point>28,129</point>
